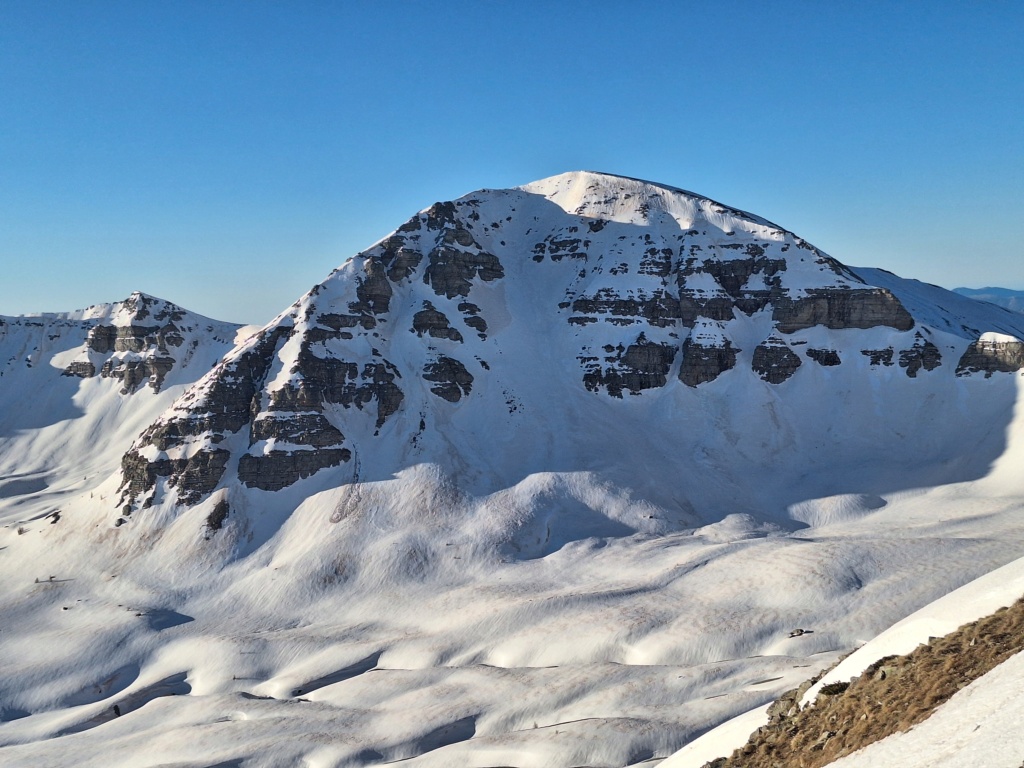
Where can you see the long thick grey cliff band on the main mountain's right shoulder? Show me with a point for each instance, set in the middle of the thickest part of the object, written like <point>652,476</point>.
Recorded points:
<point>839,310</point>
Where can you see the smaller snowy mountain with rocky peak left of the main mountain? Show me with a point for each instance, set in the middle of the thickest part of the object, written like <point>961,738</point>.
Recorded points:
<point>77,387</point>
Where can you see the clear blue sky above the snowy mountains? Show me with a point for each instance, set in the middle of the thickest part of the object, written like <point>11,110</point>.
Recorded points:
<point>227,156</point>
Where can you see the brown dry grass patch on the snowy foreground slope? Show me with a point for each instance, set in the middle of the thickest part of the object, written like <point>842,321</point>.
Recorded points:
<point>891,696</point>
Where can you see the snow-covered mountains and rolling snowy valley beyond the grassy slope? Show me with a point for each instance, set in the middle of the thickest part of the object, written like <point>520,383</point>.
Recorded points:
<point>546,478</point>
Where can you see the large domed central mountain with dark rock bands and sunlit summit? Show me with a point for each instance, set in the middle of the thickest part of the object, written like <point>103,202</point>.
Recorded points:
<point>547,329</point>
